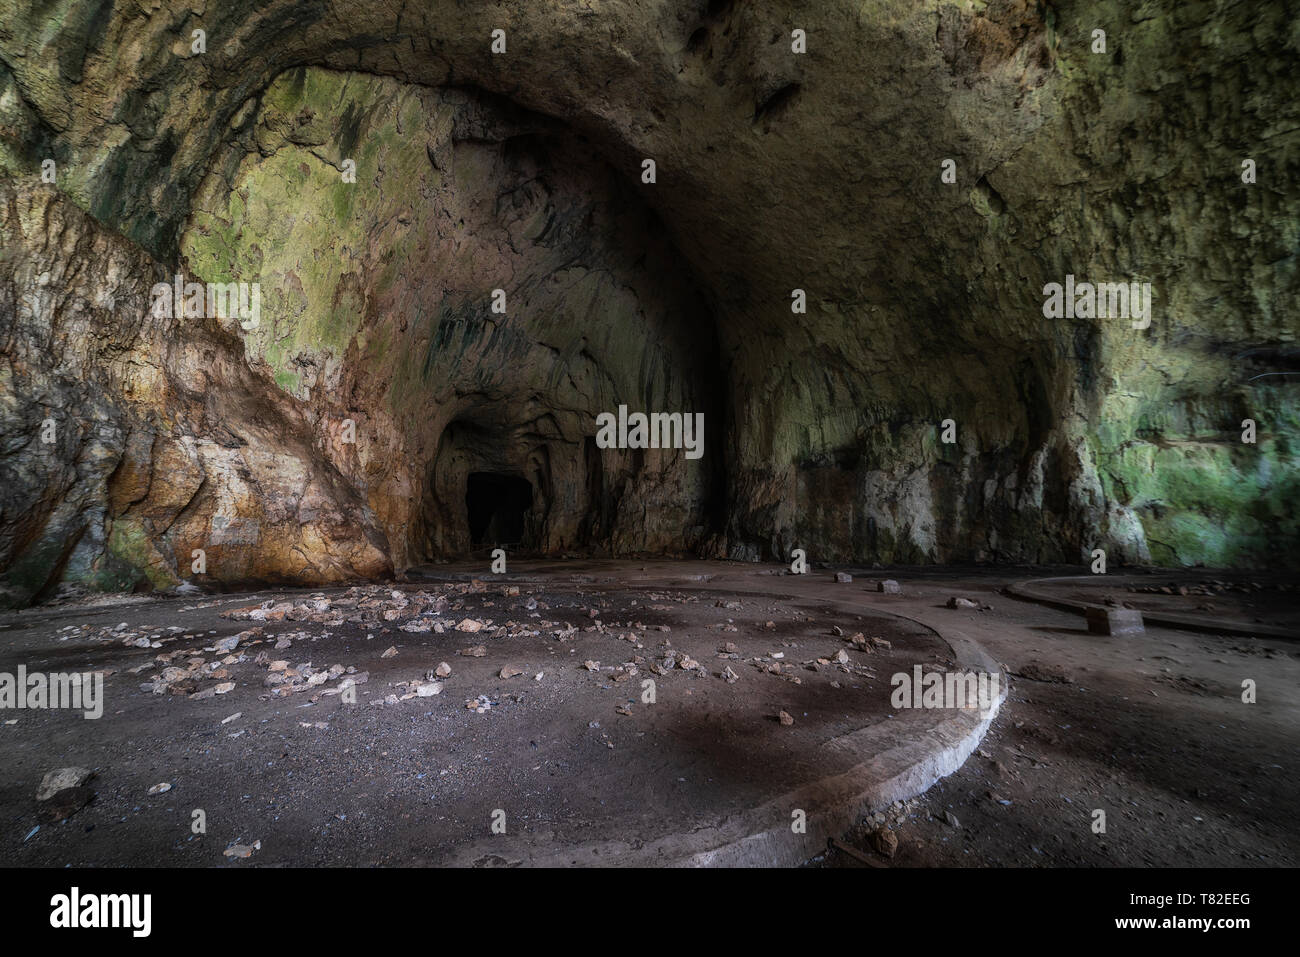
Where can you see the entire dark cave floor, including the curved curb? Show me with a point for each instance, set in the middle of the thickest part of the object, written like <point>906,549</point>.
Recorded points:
<point>1151,730</point>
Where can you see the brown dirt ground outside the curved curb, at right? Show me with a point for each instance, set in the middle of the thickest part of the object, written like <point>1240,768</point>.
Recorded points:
<point>1150,730</point>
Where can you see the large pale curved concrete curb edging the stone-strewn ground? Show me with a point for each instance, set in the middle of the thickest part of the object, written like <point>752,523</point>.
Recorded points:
<point>899,767</point>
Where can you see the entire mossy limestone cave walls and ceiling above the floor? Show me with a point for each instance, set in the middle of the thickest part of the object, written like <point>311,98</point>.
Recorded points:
<point>222,157</point>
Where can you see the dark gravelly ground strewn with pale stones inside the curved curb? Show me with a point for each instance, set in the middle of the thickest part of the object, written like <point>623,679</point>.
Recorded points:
<point>548,724</point>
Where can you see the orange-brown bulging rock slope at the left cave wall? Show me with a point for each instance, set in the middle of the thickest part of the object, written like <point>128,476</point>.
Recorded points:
<point>132,441</point>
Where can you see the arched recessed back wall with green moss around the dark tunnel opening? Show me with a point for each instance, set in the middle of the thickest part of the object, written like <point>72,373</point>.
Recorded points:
<point>382,310</point>
